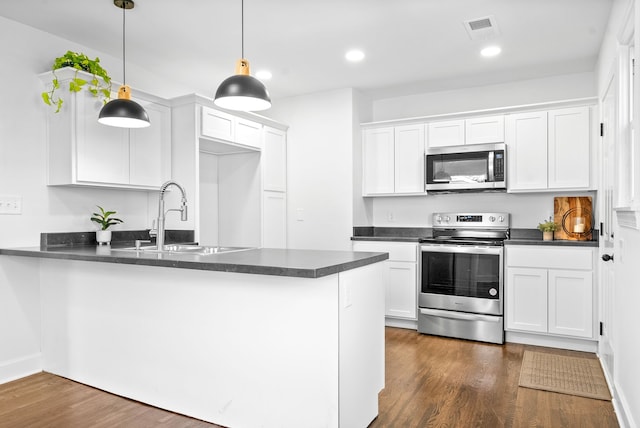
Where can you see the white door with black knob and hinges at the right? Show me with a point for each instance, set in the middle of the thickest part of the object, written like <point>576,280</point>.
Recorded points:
<point>607,188</point>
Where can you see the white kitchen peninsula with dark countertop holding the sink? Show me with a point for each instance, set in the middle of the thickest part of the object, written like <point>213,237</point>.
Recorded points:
<point>260,337</point>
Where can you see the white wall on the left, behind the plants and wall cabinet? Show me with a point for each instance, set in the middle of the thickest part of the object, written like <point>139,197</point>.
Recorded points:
<point>26,53</point>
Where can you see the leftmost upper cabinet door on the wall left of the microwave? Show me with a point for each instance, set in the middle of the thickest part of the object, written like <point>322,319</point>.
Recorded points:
<point>378,161</point>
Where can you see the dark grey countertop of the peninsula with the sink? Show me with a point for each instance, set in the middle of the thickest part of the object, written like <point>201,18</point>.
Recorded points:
<point>261,261</point>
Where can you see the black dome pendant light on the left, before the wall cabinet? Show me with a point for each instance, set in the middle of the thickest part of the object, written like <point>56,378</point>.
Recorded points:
<point>123,112</point>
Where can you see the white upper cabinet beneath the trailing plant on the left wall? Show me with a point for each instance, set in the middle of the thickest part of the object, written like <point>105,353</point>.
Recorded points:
<point>83,152</point>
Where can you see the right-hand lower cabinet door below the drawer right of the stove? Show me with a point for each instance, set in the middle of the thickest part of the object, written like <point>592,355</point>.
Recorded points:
<point>571,303</point>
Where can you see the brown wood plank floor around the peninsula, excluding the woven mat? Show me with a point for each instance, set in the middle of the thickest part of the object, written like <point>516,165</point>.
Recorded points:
<point>430,382</point>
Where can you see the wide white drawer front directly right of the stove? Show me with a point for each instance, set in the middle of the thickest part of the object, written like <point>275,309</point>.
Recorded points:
<point>550,257</point>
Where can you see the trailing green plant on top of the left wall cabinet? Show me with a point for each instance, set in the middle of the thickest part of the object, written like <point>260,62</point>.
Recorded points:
<point>79,61</point>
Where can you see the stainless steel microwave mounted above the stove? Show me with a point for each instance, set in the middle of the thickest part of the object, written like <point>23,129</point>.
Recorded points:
<point>476,167</point>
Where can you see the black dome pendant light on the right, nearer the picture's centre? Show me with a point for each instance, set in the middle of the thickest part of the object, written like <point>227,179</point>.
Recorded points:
<point>242,91</point>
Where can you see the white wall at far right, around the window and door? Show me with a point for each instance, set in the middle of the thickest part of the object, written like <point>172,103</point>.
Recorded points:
<point>626,318</point>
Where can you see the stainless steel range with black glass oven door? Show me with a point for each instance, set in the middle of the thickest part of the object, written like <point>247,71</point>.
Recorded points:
<point>462,276</point>
